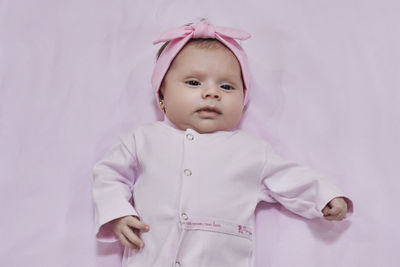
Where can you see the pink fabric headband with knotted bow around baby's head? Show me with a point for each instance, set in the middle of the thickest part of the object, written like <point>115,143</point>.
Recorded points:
<point>180,36</point>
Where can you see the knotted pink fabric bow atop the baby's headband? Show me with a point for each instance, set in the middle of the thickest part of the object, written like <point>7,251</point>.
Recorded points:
<point>202,29</point>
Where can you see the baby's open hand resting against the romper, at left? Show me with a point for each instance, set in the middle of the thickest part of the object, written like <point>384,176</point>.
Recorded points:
<point>127,228</point>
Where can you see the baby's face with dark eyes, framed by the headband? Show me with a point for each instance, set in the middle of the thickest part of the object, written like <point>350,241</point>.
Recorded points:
<point>203,89</point>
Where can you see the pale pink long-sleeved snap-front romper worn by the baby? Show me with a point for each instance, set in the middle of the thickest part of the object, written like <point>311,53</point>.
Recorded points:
<point>198,194</point>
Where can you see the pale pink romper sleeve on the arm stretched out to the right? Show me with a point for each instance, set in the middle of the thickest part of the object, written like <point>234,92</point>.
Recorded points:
<point>298,188</point>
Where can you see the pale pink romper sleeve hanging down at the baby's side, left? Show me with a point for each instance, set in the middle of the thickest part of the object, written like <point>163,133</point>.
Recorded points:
<point>113,179</point>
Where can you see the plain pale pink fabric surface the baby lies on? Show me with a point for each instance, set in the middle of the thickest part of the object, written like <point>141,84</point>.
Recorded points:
<point>75,74</point>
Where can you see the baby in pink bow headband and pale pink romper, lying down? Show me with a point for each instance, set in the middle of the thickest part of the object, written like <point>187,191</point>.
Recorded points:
<point>183,191</point>
